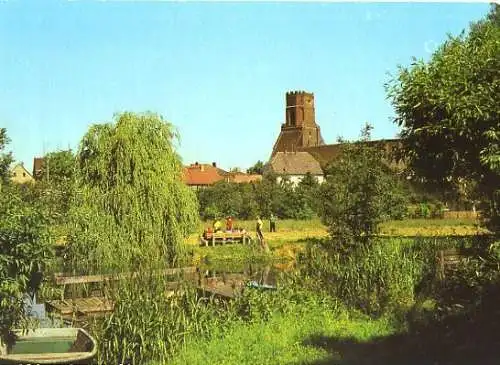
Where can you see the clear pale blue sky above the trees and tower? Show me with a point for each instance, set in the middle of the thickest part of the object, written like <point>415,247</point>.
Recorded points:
<point>217,71</point>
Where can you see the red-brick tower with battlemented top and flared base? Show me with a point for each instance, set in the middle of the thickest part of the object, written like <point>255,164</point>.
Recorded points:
<point>300,129</point>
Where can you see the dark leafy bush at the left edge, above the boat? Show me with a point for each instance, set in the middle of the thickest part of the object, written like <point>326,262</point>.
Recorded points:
<point>25,250</point>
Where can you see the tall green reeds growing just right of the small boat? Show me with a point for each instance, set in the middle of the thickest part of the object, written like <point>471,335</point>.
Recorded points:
<point>148,324</point>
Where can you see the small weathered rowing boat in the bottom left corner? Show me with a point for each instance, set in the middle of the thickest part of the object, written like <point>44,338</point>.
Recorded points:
<point>50,346</point>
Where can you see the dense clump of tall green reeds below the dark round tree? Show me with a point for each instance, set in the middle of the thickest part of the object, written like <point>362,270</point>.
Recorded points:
<point>375,279</point>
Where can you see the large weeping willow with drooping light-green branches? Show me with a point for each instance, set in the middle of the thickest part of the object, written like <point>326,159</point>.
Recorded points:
<point>132,208</point>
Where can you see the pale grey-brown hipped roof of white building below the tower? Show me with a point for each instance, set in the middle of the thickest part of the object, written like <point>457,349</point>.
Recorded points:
<point>294,163</point>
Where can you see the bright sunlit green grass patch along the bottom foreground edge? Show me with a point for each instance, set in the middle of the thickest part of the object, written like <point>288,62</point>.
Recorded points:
<point>289,339</point>
